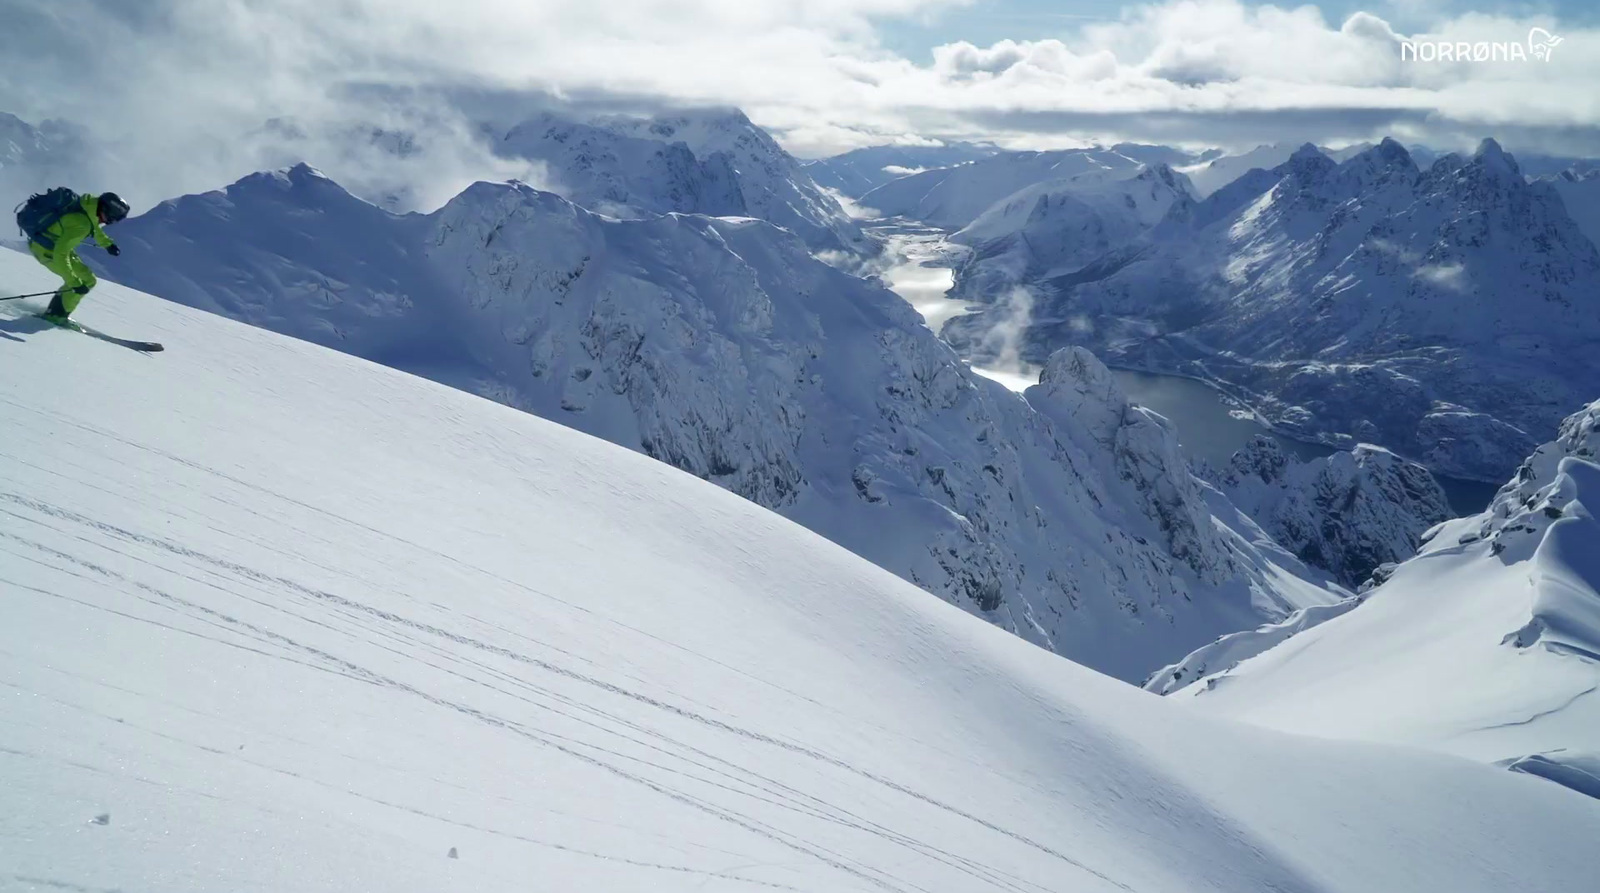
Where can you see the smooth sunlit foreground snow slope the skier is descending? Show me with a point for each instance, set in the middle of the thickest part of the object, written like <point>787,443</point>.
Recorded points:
<point>279,620</point>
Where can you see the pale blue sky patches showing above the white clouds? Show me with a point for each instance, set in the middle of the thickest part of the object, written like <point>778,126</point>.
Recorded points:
<point>988,22</point>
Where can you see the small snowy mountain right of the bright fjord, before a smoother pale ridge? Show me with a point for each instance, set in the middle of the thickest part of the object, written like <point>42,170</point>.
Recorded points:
<point>1058,226</point>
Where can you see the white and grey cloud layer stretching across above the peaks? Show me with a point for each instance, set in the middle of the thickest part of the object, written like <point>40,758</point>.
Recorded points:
<point>401,98</point>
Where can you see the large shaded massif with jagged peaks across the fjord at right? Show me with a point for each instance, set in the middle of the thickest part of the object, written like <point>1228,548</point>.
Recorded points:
<point>1446,314</point>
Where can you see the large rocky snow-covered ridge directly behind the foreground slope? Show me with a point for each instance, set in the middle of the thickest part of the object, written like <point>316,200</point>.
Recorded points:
<point>722,348</point>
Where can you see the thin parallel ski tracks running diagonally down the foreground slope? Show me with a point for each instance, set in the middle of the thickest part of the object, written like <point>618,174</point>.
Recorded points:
<point>410,638</point>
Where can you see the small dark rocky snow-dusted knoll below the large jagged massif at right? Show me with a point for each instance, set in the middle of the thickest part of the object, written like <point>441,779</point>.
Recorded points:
<point>1348,513</point>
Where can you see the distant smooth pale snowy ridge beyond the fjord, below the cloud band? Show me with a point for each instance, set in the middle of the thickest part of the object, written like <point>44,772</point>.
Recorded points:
<point>956,198</point>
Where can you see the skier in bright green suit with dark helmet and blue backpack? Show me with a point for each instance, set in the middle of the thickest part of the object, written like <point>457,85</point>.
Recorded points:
<point>55,225</point>
